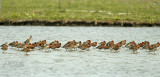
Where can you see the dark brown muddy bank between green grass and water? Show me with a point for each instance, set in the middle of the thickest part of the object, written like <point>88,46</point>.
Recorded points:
<point>77,23</point>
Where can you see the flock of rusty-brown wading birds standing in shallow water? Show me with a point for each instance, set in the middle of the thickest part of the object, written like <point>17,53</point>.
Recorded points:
<point>27,46</point>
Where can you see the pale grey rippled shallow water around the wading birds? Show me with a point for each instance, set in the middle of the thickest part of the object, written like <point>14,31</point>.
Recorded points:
<point>93,63</point>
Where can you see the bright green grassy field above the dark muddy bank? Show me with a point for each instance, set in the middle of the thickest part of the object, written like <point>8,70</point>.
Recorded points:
<point>100,10</point>
